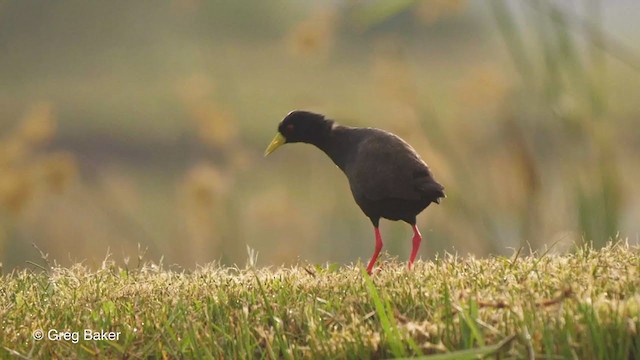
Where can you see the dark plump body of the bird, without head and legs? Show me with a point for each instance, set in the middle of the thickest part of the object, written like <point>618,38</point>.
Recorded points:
<point>386,176</point>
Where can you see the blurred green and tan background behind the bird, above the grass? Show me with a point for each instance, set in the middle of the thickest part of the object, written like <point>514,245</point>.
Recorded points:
<point>138,127</point>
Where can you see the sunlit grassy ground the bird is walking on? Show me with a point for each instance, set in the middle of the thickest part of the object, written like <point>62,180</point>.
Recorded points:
<point>585,304</point>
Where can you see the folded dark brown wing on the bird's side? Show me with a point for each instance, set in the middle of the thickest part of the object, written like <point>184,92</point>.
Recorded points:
<point>386,167</point>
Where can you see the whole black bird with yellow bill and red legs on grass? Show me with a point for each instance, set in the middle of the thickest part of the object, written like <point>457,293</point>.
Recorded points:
<point>387,177</point>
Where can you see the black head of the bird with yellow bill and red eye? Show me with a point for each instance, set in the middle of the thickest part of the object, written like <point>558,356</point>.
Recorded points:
<point>300,126</point>
